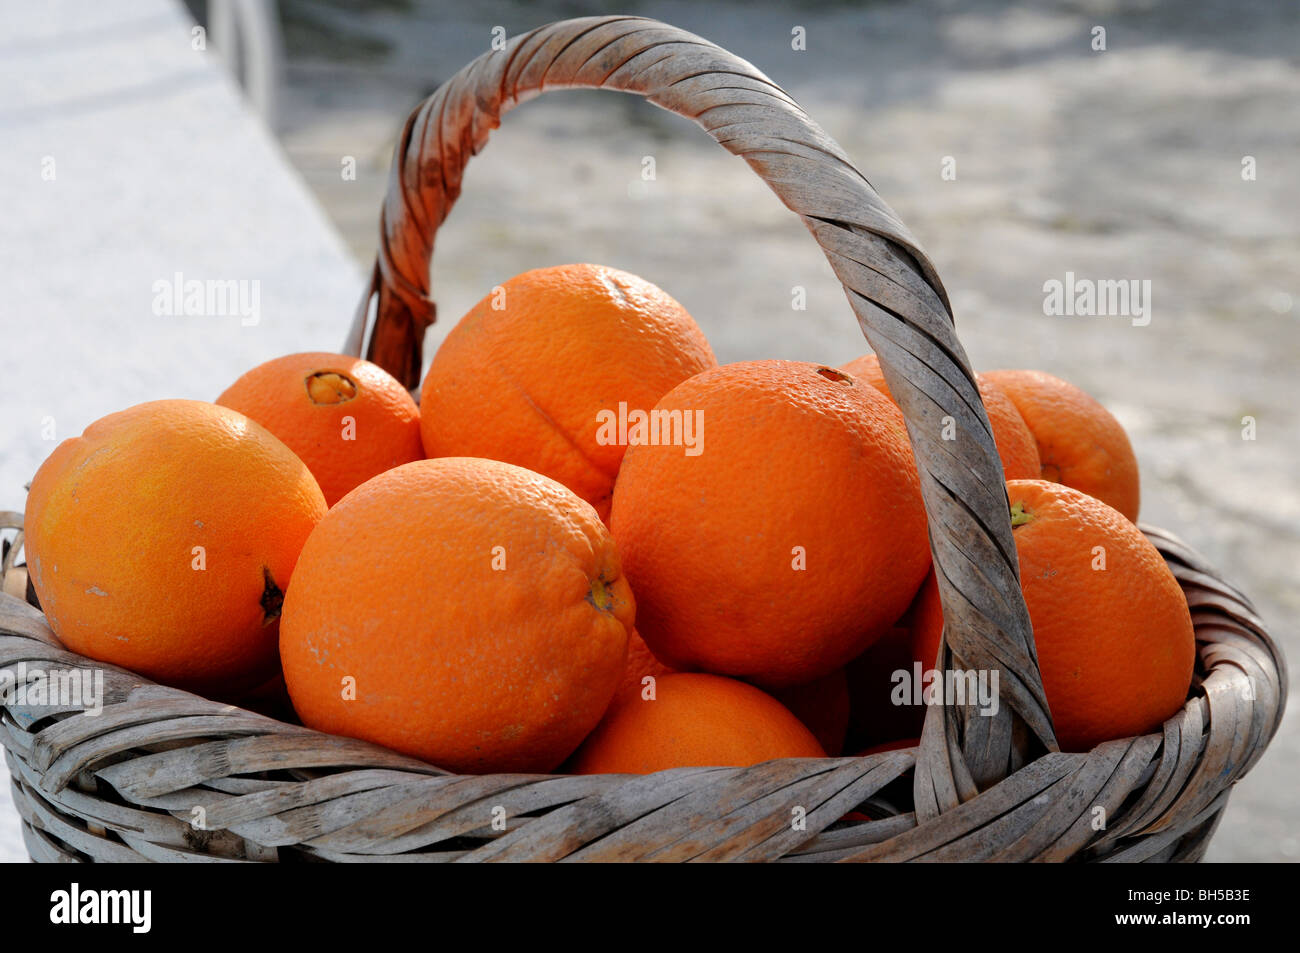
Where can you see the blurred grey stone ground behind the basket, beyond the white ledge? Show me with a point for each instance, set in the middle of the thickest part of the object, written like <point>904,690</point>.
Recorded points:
<point>1125,163</point>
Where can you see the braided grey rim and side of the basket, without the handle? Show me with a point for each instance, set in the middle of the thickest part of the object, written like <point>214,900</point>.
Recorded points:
<point>129,785</point>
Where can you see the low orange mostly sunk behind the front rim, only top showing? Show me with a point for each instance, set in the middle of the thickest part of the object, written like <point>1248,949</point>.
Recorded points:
<point>695,721</point>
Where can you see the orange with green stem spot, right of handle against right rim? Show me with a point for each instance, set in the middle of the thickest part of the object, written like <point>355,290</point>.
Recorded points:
<point>1111,623</point>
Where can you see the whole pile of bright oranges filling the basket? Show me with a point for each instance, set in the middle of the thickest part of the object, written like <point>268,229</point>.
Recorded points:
<point>590,548</point>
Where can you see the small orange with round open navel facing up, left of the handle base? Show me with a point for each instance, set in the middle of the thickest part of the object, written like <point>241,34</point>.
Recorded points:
<point>346,418</point>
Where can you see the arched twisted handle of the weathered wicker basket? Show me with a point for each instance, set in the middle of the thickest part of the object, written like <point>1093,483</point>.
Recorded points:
<point>891,285</point>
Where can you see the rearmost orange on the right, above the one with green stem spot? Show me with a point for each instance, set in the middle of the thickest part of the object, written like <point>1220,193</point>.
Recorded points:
<point>1080,443</point>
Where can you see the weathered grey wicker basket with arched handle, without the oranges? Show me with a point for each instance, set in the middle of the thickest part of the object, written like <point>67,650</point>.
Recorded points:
<point>166,776</point>
